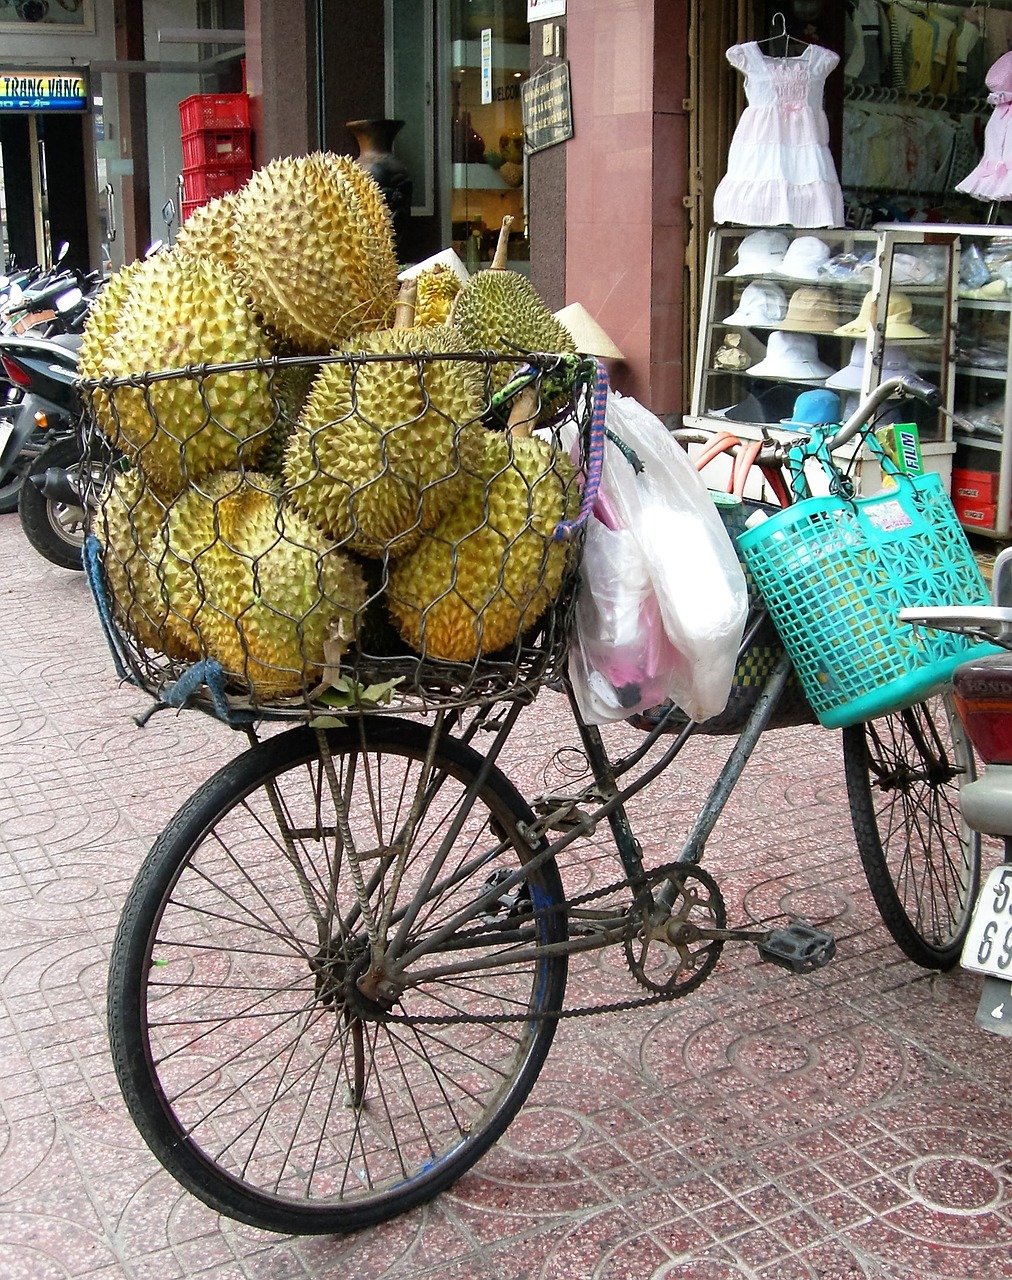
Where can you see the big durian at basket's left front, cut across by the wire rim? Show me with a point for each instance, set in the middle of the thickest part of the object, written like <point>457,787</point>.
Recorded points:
<point>177,312</point>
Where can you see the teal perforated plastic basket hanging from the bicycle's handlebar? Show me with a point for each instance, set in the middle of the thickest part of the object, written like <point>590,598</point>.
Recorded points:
<point>836,573</point>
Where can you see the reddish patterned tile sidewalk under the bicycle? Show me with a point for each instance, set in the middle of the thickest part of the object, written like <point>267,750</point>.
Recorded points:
<point>851,1124</point>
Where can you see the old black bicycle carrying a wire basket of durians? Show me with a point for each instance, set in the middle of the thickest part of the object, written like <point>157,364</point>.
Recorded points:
<point>342,964</point>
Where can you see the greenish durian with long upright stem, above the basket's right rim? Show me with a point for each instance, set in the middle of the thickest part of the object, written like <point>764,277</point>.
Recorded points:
<point>500,310</point>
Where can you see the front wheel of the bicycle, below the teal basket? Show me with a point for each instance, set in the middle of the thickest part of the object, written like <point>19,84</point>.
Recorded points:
<point>922,862</point>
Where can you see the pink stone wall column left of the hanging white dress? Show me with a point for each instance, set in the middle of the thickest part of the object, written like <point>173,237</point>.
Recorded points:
<point>626,176</point>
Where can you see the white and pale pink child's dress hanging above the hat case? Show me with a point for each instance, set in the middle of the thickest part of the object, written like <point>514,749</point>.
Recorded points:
<point>780,164</point>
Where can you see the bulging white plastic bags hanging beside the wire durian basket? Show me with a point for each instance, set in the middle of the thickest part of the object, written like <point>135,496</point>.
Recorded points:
<point>697,584</point>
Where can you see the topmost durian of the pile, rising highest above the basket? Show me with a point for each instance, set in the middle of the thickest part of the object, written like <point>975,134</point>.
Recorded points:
<point>310,250</point>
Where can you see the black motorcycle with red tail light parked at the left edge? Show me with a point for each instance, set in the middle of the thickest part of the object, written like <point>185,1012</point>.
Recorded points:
<point>47,429</point>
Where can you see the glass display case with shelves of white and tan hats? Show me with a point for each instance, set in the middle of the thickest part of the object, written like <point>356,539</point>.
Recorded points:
<point>796,326</point>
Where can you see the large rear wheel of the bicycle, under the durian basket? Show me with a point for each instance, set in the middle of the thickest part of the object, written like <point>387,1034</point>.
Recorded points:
<point>240,1054</point>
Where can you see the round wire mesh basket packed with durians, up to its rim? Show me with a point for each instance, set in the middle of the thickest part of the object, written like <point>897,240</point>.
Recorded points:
<point>340,534</point>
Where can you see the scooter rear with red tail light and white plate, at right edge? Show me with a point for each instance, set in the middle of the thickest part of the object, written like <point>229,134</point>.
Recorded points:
<point>983,696</point>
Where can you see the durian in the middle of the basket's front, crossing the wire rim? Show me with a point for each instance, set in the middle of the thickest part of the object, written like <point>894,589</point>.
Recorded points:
<point>378,452</point>
